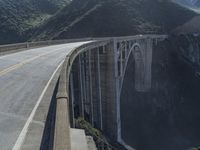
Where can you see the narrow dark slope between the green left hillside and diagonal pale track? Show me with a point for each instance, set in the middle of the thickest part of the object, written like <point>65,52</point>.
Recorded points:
<point>66,18</point>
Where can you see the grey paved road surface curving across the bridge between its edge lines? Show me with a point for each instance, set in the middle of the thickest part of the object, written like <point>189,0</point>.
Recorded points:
<point>23,80</point>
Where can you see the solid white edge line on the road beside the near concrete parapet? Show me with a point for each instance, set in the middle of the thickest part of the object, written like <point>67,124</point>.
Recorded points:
<point>24,131</point>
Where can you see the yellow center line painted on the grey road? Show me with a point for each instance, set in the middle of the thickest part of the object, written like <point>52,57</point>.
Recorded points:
<point>16,66</point>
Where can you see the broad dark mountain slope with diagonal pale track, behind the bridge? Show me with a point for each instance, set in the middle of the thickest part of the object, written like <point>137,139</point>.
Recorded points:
<point>113,18</point>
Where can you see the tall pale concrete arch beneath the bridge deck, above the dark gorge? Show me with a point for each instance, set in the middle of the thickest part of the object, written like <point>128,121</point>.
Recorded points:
<point>137,56</point>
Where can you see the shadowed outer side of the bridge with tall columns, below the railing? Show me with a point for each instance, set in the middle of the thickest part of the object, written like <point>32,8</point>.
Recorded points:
<point>97,75</point>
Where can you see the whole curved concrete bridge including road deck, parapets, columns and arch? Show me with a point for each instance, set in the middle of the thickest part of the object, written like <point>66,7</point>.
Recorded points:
<point>48,85</point>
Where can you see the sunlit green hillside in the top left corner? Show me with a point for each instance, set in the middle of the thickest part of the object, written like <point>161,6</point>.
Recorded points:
<point>16,17</point>
